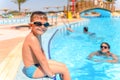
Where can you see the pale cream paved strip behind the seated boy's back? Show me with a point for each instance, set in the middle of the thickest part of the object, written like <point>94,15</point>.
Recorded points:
<point>9,66</point>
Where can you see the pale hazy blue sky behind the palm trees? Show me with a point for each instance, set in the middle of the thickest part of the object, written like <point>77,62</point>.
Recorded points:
<point>38,4</point>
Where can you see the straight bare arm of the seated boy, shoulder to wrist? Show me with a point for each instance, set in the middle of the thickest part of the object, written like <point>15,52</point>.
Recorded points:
<point>38,52</point>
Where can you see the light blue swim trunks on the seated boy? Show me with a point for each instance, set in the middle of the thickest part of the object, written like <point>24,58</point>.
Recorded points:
<point>29,71</point>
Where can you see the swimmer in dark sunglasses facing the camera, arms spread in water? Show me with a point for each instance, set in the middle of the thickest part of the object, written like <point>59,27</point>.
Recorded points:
<point>105,51</point>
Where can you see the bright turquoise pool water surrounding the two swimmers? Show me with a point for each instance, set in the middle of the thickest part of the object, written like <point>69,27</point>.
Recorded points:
<point>73,49</point>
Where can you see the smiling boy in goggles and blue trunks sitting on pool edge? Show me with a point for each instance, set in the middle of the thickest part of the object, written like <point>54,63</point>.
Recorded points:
<point>35,61</point>
